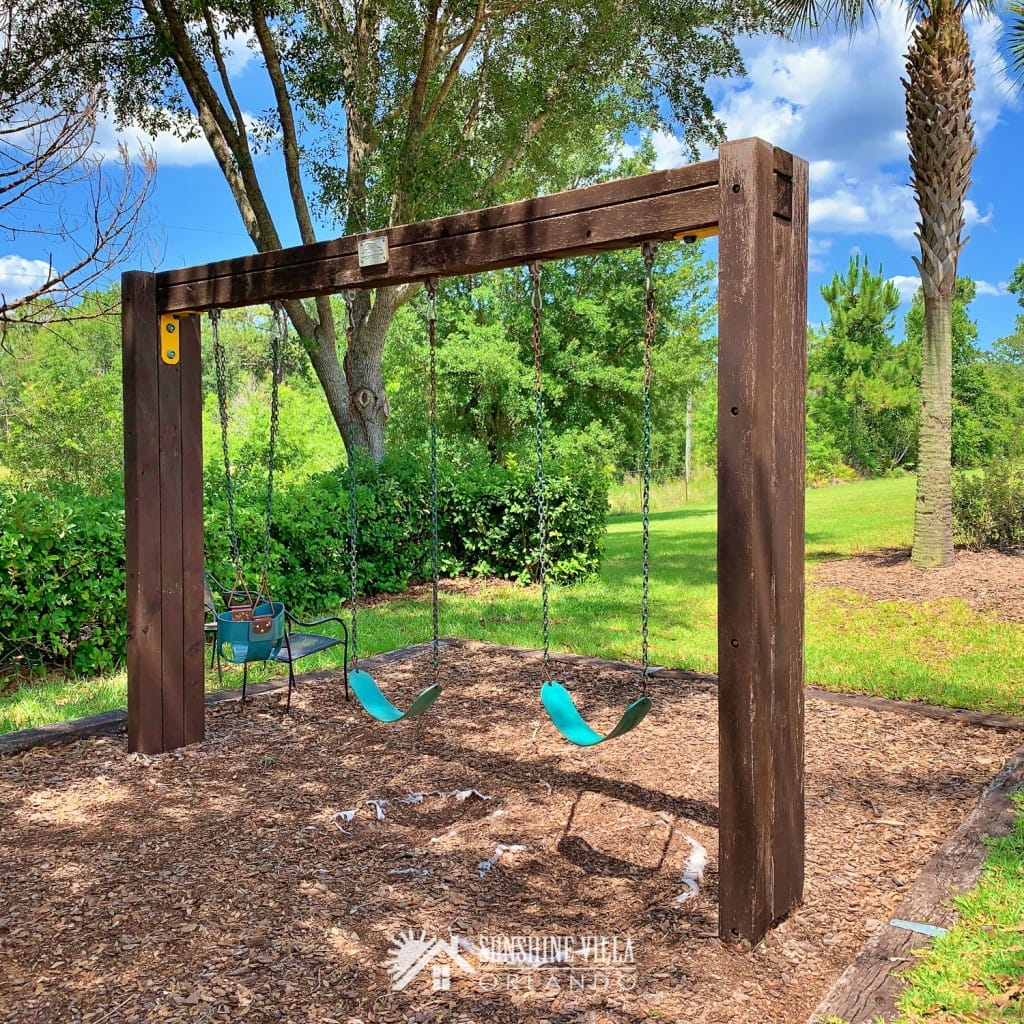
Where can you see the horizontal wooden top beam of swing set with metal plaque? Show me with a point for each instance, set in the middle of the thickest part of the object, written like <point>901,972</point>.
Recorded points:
<point>612,216</point>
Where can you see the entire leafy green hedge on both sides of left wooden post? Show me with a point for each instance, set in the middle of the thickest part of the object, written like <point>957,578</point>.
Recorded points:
<point>62,588</point>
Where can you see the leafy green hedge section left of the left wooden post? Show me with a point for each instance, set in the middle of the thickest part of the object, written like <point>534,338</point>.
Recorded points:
<point>62,580</point>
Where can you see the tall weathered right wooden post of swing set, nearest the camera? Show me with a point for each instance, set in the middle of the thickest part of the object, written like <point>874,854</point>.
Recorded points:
<point>762,381</point>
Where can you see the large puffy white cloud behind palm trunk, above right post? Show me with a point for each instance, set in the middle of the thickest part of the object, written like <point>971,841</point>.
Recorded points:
<point>839,102</point>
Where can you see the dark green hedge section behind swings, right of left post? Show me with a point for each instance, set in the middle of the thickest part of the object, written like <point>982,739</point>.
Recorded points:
<point>488,526</point>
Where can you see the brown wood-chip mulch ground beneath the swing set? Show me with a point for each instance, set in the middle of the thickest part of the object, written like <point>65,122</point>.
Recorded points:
<point>220,883</point>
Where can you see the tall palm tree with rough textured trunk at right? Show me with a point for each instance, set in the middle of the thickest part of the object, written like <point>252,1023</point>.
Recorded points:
<point>940,86</point>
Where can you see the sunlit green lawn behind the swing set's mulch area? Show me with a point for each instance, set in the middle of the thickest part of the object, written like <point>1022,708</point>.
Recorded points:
<point>942,653</point>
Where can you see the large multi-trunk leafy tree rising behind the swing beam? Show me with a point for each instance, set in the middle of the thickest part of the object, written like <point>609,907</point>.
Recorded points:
<point>382,112</point>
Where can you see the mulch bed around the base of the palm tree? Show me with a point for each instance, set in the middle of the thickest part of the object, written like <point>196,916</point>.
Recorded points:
<point>988,581</point>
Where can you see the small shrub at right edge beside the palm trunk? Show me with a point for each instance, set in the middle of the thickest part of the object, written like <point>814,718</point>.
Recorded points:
<point>989,508</point>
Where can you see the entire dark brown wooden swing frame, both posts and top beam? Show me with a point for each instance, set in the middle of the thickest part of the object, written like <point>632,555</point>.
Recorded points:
<point>754,197</point>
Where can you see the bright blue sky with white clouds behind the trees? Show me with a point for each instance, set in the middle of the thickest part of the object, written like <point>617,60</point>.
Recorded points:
<point>837,102</point>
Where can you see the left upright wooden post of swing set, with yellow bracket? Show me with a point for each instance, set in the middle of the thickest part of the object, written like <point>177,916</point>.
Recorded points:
<point>163,525</point>
